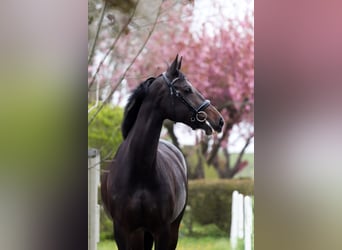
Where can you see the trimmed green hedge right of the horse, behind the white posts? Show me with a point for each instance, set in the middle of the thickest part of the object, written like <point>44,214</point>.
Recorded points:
<point>210,201</point>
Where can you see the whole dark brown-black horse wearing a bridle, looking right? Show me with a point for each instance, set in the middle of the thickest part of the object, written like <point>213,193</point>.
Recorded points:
<point>145,190</point>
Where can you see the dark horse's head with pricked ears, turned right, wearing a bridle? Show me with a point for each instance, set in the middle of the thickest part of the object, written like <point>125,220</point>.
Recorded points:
<point>181,102</point>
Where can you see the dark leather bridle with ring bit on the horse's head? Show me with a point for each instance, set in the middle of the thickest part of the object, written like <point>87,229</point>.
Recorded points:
<point>197,112</point>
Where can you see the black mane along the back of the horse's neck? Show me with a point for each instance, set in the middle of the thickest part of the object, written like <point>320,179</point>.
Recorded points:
<point>133,106</point>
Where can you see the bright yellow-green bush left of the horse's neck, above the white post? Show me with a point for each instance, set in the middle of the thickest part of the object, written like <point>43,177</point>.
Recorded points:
<point>104,133</point>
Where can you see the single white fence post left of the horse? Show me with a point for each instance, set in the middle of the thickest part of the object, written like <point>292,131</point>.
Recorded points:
<point>93,207</point>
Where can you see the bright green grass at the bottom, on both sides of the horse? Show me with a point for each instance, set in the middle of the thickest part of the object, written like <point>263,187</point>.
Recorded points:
<point>184,243</point>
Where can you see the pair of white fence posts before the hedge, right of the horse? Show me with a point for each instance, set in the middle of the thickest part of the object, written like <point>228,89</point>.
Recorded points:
<point>242,221</point>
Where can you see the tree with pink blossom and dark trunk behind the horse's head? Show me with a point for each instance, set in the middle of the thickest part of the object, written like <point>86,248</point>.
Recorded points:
<point>219,63</point>
